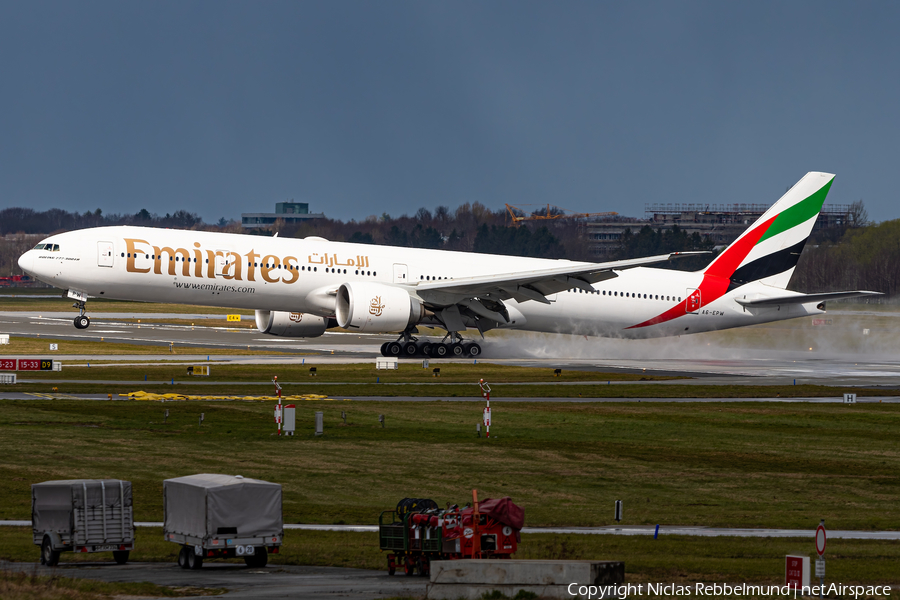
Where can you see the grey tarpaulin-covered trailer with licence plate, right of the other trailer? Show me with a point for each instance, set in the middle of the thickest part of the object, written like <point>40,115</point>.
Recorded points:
<point>222,516</point>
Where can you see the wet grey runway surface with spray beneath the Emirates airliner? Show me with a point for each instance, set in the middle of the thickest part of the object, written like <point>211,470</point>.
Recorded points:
<point>688,355</point>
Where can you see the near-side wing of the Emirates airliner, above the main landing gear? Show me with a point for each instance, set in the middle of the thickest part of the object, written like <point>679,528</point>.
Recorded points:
<point>475,292</point>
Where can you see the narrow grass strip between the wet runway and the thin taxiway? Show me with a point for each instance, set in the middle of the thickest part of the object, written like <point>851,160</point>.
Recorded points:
<point>341,380</point>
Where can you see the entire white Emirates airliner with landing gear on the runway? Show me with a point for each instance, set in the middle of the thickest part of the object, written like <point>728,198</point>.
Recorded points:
<point>301,287</point>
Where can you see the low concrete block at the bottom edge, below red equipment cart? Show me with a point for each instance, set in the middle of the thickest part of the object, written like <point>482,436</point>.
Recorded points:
<point>470,579</point>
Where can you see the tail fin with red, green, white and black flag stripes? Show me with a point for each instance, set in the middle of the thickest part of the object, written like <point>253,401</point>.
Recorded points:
<point>769,250</point>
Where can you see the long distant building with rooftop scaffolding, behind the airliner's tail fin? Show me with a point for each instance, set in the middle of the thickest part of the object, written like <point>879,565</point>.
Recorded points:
<point>722,223</point>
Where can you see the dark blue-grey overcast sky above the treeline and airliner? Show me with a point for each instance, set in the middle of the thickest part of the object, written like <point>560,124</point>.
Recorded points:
<point>359,108</point>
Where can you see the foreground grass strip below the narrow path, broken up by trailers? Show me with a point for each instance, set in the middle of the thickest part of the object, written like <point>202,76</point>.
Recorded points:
<point>670,558</point>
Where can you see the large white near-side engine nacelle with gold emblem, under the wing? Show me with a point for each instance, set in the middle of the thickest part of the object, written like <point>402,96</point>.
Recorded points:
<point>376,308</point>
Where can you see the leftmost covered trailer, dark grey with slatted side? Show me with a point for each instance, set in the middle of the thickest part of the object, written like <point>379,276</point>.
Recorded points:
<point>82,515</point>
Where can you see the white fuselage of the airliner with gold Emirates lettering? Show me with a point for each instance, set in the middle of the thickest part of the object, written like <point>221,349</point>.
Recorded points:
<point>300,275</point>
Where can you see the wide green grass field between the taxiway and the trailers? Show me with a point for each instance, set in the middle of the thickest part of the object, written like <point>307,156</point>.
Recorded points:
<point>740,465</point>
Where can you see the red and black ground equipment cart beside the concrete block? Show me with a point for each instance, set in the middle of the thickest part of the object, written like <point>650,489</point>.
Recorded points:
<point>417,532</point>
